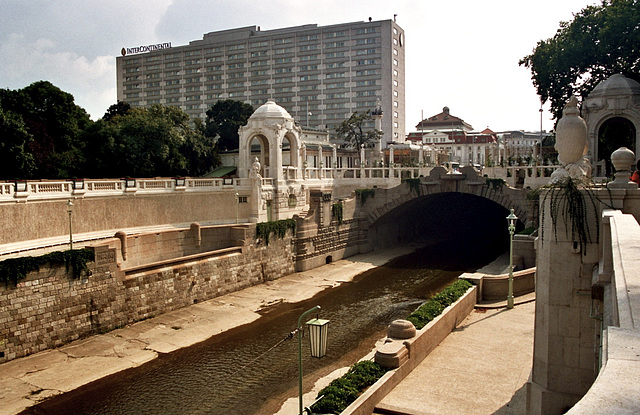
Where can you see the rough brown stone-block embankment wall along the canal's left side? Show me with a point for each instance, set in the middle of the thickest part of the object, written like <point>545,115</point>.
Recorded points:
<point>49,308</point>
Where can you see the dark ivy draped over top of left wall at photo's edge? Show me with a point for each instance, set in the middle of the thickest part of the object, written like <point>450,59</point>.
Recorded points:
<point>14,270</point>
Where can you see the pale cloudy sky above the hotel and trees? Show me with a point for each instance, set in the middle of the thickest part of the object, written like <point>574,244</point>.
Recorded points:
<point>462,54</point>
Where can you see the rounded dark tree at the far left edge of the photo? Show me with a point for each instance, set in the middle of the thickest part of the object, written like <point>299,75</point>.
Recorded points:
<point>15,160</point>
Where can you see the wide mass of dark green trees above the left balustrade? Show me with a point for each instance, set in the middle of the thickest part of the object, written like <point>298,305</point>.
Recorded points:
<point>45,135</point>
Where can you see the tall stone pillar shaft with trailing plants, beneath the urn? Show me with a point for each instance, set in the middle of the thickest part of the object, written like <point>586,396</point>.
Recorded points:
<point>565,348</point>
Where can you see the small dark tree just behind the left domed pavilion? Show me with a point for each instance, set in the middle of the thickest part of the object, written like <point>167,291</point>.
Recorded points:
<point>224,118</point>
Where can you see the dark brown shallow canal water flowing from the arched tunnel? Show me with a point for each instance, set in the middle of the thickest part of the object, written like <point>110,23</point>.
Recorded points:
<point>253,369</point>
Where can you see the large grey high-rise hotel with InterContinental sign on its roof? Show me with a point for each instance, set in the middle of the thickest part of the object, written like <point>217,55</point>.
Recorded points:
<point>321,75</point>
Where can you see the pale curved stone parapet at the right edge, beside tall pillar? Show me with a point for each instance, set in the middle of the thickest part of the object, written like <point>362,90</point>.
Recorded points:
<point>616,390</point>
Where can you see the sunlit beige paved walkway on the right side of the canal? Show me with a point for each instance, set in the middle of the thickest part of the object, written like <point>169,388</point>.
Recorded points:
<point>480,368</point>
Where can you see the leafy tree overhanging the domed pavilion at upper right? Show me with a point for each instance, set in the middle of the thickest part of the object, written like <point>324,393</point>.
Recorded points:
<point>600,41</point>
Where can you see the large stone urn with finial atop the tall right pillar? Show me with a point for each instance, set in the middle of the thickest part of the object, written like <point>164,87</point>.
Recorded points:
<point>571,134</point>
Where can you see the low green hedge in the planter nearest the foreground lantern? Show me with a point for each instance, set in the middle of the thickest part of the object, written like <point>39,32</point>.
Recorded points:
<point>341,392</point>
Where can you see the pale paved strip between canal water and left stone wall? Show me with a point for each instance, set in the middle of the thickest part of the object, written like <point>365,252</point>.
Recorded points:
<point>28,380</point>
